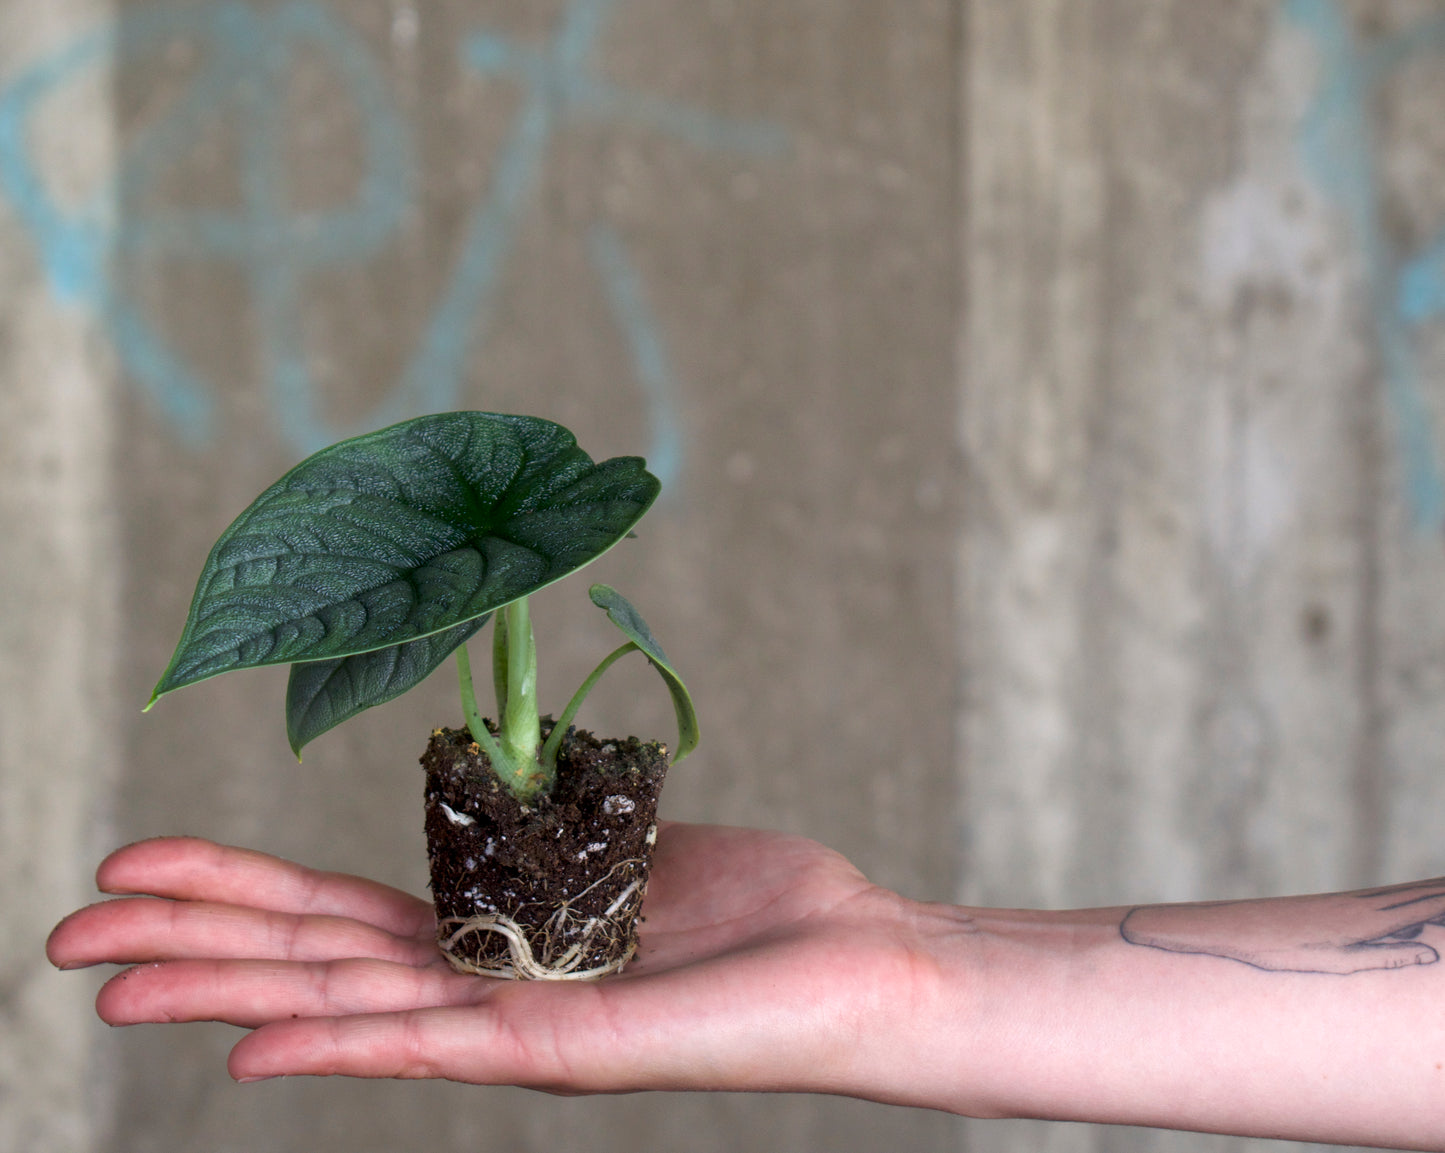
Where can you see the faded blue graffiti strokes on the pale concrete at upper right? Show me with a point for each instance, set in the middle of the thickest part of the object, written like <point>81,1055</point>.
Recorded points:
<point>1337,142</point>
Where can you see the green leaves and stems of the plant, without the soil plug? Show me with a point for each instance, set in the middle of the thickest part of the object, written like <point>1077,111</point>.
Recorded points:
<point>375,560</point>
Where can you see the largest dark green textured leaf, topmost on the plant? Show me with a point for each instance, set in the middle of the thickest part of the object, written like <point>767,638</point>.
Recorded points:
<point>407,532</point>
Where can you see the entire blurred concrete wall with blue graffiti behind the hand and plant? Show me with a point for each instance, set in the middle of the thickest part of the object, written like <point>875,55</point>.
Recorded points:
<point>1047,400</point>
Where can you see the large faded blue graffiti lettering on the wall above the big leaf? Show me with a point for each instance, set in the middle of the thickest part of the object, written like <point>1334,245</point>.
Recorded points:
<point>249,53</point>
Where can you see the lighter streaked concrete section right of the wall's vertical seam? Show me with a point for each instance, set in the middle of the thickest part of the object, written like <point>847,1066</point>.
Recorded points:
<point>1202,450</point>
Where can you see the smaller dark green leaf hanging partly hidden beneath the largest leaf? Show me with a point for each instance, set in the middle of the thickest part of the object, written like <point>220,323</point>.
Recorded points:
<point>323,694</point>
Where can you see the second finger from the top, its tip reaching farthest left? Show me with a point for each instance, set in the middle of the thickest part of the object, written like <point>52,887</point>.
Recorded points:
<point>138,930</point>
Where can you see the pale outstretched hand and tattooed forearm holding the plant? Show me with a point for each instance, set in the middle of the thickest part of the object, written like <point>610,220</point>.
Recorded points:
<point>771,964</point>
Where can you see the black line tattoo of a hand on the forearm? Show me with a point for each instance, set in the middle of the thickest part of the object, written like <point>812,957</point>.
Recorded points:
<point>1337,934</point>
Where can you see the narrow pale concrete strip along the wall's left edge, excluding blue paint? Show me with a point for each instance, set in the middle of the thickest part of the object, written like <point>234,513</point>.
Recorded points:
<point>59,755</point>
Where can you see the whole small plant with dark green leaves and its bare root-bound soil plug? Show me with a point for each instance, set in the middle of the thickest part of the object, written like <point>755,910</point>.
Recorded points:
<point>374,561</point>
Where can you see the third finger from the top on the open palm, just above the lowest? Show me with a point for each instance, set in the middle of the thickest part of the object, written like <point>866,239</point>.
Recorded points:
<point>252,993</point>
